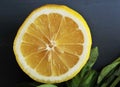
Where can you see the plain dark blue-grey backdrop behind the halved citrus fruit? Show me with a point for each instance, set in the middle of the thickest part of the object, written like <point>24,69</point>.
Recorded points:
<point>102,16</point>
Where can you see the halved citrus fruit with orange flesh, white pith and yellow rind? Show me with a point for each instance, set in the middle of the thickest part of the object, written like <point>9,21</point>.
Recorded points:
<point>53,44</point>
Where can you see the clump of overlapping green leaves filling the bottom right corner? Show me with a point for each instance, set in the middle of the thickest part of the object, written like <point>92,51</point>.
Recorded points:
<point>110,75</point>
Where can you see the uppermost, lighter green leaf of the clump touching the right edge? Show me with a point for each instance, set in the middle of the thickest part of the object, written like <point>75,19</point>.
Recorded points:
<point>106,71</point>
